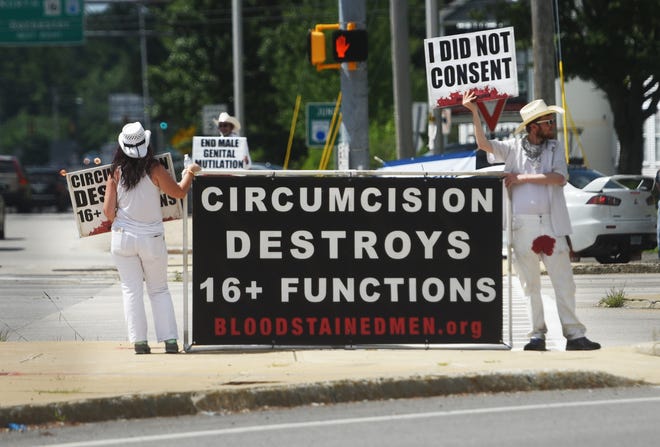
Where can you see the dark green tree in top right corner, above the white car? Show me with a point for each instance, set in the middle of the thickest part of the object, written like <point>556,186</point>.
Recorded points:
<point>616,44</point>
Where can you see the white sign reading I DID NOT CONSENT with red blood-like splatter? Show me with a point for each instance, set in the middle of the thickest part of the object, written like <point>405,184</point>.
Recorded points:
<point>483,62</point>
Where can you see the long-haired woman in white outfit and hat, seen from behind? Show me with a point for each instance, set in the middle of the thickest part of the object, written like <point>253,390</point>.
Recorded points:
<point>132,204</point>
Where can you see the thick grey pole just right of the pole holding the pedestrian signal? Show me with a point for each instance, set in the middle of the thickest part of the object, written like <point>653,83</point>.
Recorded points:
<point>401,78</point>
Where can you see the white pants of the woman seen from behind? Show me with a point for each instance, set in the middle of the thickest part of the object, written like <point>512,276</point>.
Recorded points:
<point>138,258</point>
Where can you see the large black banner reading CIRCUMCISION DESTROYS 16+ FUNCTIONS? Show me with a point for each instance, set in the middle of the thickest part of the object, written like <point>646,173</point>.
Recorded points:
<point>342,261</point>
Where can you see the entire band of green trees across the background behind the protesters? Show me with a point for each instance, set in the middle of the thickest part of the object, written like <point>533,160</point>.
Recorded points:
<point>50,94</point>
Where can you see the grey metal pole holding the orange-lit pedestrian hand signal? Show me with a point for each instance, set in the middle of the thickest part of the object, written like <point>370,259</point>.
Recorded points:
<point>354,89</point>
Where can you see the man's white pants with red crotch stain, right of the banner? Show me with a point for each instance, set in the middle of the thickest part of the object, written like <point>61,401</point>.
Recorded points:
<point>526,228</point>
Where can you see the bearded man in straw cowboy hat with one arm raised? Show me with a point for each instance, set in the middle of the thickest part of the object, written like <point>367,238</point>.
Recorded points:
<point>536,172</point>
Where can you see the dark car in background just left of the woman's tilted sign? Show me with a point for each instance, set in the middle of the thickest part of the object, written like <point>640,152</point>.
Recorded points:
<point>48,187</point>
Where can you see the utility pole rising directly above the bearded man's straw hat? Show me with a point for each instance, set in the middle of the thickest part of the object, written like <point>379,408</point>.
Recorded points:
<point>544,50</point>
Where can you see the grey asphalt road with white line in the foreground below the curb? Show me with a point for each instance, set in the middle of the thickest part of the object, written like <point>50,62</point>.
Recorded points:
<point>588,418</point>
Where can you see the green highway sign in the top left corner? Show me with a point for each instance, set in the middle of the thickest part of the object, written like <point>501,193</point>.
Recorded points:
<point>41,22</point>
